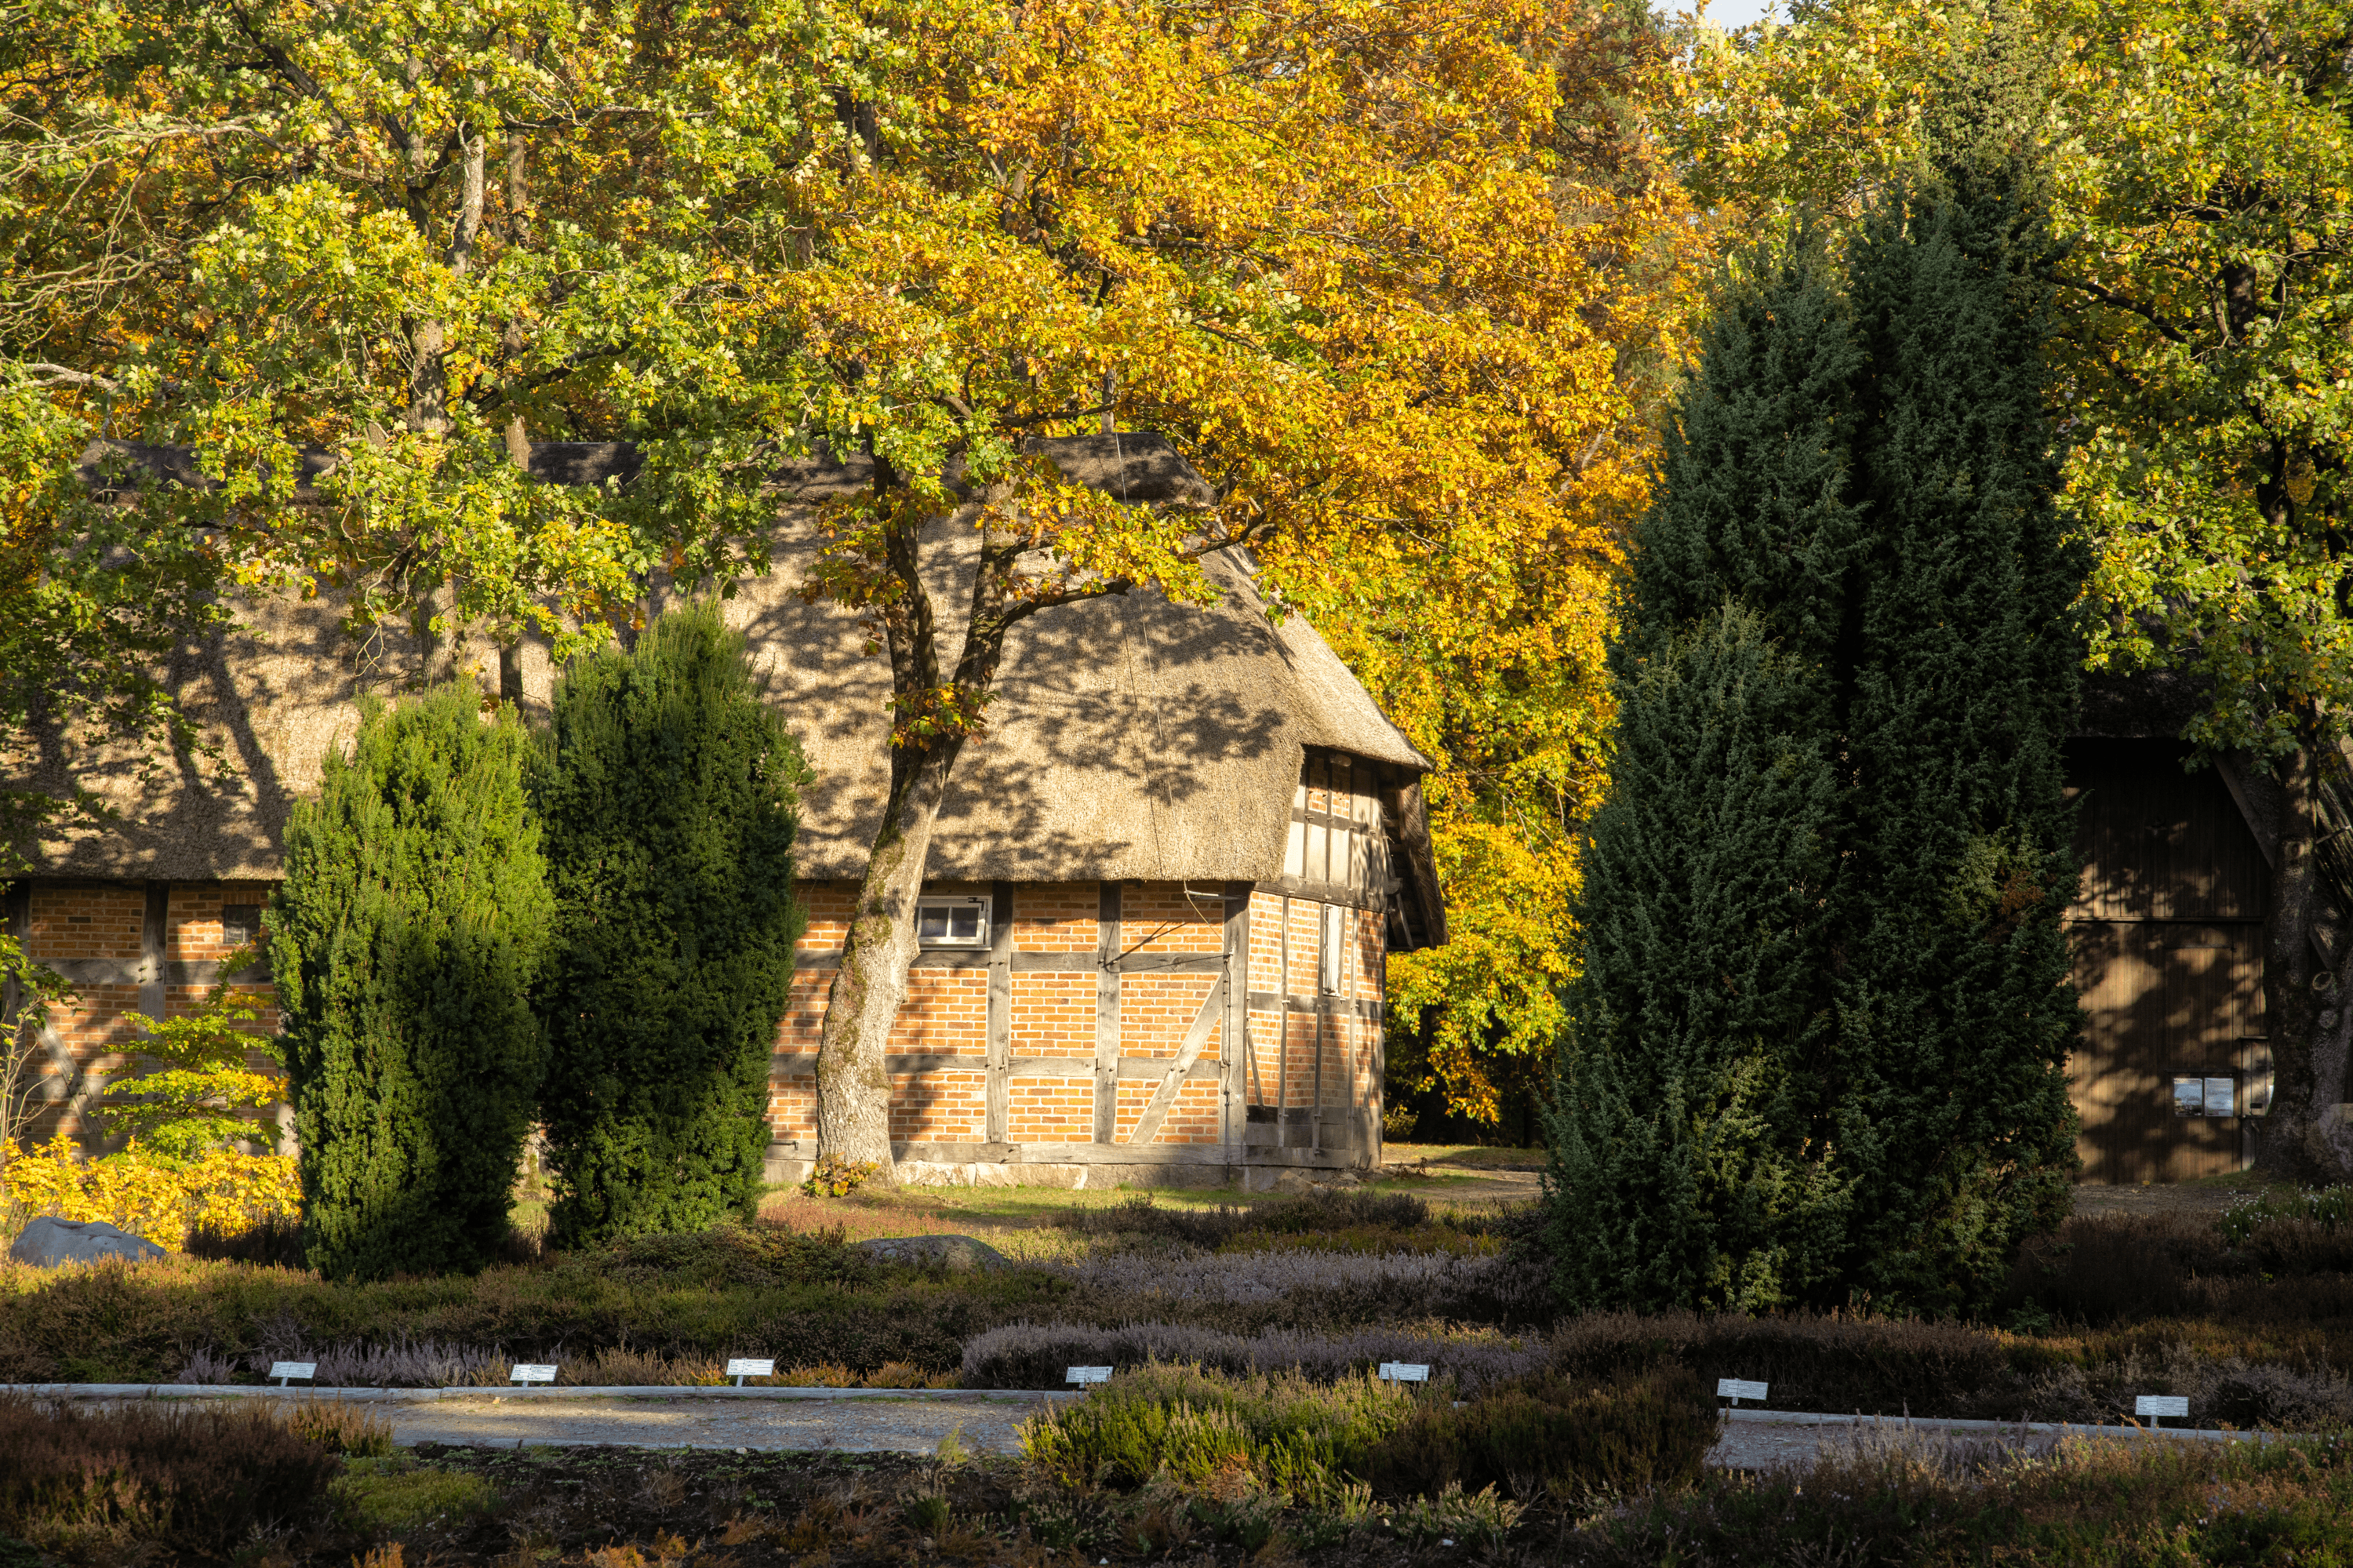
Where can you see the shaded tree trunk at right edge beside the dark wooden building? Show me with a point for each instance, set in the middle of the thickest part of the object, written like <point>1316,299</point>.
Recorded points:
<point>2305,999</point>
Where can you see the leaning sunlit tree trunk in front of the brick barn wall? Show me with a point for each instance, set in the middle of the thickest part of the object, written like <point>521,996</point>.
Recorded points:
<point>853,1070</point>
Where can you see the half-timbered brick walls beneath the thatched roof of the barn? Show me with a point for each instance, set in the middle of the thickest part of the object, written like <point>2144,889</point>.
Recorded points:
<point>1187,1023</point>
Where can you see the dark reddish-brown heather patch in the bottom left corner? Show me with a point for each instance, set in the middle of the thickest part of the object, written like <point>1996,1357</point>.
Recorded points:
<point>128,1482</point>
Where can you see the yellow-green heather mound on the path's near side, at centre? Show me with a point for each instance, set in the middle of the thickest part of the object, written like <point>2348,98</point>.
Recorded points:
<point>1288,1433</point>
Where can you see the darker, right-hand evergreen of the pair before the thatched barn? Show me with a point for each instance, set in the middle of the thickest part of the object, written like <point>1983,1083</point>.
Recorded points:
<point>669,799</point>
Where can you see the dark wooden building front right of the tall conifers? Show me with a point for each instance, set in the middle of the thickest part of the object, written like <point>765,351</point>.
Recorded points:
<point>2168,936</point>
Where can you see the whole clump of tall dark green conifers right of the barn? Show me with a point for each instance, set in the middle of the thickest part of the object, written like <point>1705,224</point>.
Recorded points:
<point>1853,1079</point>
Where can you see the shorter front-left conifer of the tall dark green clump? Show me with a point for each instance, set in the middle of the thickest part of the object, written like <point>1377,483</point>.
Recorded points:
<point>1686,1131</point>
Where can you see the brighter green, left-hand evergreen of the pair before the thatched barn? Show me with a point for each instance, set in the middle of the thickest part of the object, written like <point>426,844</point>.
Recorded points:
<point>406,941</point>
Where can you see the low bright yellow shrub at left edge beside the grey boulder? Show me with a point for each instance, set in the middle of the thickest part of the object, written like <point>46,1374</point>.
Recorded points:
<point>149,1197</point>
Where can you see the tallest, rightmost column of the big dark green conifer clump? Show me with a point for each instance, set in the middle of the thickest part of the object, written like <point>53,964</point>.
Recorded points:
<point>1957,1009</point>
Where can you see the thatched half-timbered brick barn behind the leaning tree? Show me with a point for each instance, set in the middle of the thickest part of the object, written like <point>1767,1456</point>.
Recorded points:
<point>1164,889</point>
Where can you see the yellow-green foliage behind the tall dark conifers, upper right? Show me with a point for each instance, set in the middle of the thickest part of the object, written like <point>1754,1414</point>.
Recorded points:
<point>2199,161</point>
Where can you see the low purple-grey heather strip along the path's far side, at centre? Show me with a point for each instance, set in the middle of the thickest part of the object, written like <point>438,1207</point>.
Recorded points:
<point>1036,1355</point>
